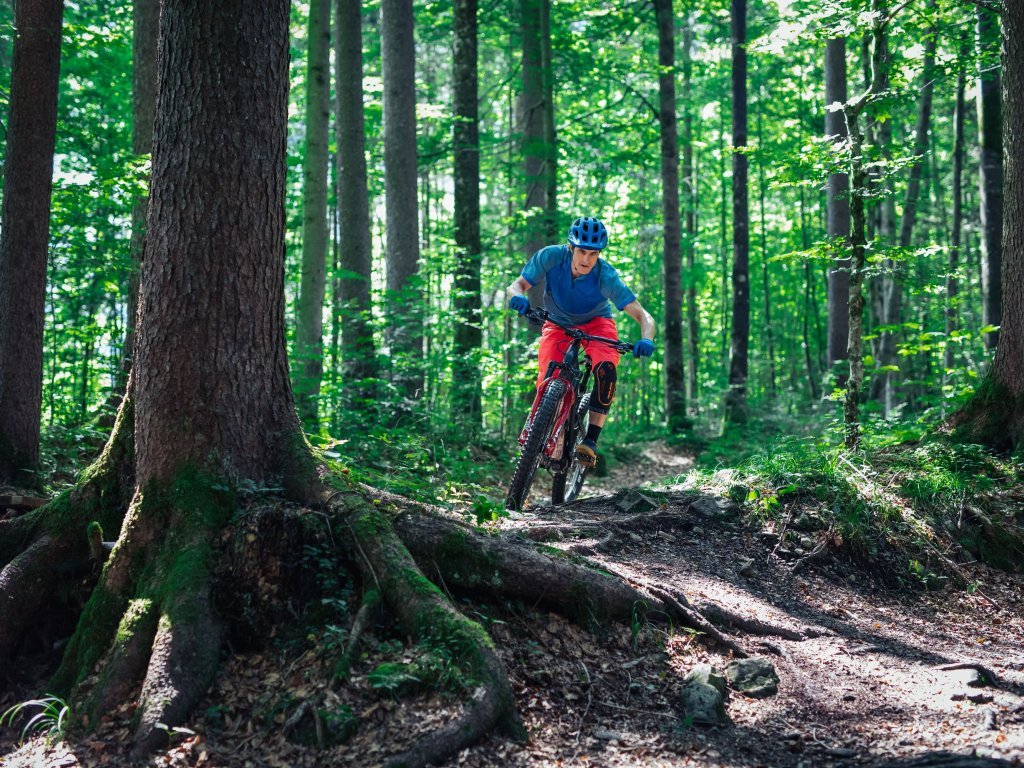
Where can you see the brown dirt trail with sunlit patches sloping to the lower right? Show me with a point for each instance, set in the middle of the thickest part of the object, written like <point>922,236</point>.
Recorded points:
<point>893,673</point>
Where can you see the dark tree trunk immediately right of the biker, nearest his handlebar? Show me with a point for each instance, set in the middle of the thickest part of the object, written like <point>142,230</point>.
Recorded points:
<point>675,377</point>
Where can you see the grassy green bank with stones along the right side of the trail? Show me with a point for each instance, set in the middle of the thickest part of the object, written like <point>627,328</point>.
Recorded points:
<point>924,508</point>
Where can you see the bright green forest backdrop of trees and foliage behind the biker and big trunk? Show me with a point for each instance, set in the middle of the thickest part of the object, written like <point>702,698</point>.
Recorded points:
<point>573,113</point>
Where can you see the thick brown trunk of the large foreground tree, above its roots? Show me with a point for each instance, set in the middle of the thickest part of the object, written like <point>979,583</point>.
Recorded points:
<point>211,395</point>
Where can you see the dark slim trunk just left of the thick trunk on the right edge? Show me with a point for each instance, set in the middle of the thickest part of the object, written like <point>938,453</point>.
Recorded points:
<point>991,127</point>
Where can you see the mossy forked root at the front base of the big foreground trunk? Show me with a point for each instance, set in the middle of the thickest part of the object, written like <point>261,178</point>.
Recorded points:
<point>151,618</point>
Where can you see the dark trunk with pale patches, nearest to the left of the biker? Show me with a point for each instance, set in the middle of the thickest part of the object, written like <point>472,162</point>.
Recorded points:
<point>468,336</point>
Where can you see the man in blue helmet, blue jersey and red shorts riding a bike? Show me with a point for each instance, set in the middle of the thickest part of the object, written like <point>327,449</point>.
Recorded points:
<point>580,290</point>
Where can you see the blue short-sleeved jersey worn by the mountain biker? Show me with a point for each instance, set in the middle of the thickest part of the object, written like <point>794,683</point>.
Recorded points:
<point>573,302</point>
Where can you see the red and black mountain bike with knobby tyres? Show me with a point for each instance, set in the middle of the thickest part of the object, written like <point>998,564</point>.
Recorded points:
<point>559,420</point>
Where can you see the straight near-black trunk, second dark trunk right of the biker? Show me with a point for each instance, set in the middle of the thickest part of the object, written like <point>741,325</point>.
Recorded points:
<point>737,398</point>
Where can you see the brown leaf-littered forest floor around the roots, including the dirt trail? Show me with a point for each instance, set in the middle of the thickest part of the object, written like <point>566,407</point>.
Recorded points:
<point>886,674</point>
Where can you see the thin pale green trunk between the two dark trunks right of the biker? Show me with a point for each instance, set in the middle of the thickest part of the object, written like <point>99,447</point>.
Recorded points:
<point>691,215</point>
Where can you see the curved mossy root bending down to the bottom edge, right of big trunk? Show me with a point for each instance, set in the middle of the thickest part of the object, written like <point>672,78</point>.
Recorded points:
<point>428,616</point>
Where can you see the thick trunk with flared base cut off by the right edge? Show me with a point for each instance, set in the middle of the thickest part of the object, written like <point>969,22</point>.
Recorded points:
<point>996,415</point>
